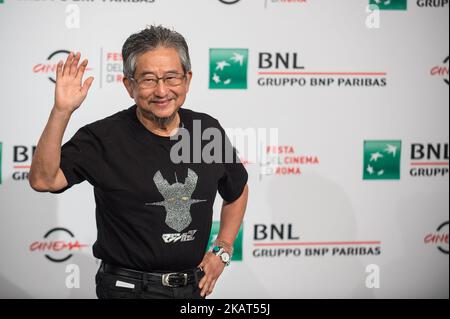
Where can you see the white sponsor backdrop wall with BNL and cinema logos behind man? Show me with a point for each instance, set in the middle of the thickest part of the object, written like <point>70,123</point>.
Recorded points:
<point>351,202</point>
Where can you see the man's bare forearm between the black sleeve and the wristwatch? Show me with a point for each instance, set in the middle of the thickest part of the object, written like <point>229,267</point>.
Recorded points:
<point>231,218</point>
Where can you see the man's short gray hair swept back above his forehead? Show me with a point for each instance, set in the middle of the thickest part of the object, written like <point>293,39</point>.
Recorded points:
<point>149,39</point>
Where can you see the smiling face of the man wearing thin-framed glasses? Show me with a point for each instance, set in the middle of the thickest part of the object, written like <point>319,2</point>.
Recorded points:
<point>164,100</point>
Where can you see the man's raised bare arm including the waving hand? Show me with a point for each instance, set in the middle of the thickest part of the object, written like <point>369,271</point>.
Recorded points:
<point>45,173</point>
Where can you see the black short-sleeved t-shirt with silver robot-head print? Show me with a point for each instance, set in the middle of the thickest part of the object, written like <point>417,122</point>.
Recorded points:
<point>152,214</point>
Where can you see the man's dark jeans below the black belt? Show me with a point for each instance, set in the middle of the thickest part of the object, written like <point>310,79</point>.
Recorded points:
<point>109,286</point>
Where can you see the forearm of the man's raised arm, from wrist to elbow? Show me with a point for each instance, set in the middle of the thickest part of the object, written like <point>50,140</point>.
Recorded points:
<point>47,157</point>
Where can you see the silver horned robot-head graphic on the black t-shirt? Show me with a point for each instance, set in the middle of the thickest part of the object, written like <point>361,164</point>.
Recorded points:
<point>177,199</point>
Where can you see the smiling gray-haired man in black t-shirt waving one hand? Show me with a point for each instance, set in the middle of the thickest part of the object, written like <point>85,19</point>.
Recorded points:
<point>153,213</point>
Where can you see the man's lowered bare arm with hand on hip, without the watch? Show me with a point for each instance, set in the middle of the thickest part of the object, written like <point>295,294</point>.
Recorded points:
<point>230,221</point>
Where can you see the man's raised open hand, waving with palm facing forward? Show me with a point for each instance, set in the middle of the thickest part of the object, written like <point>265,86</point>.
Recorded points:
<point>69,93</point>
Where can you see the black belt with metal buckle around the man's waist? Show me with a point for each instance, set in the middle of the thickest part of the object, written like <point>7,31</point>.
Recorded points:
<point>173,279</point>
